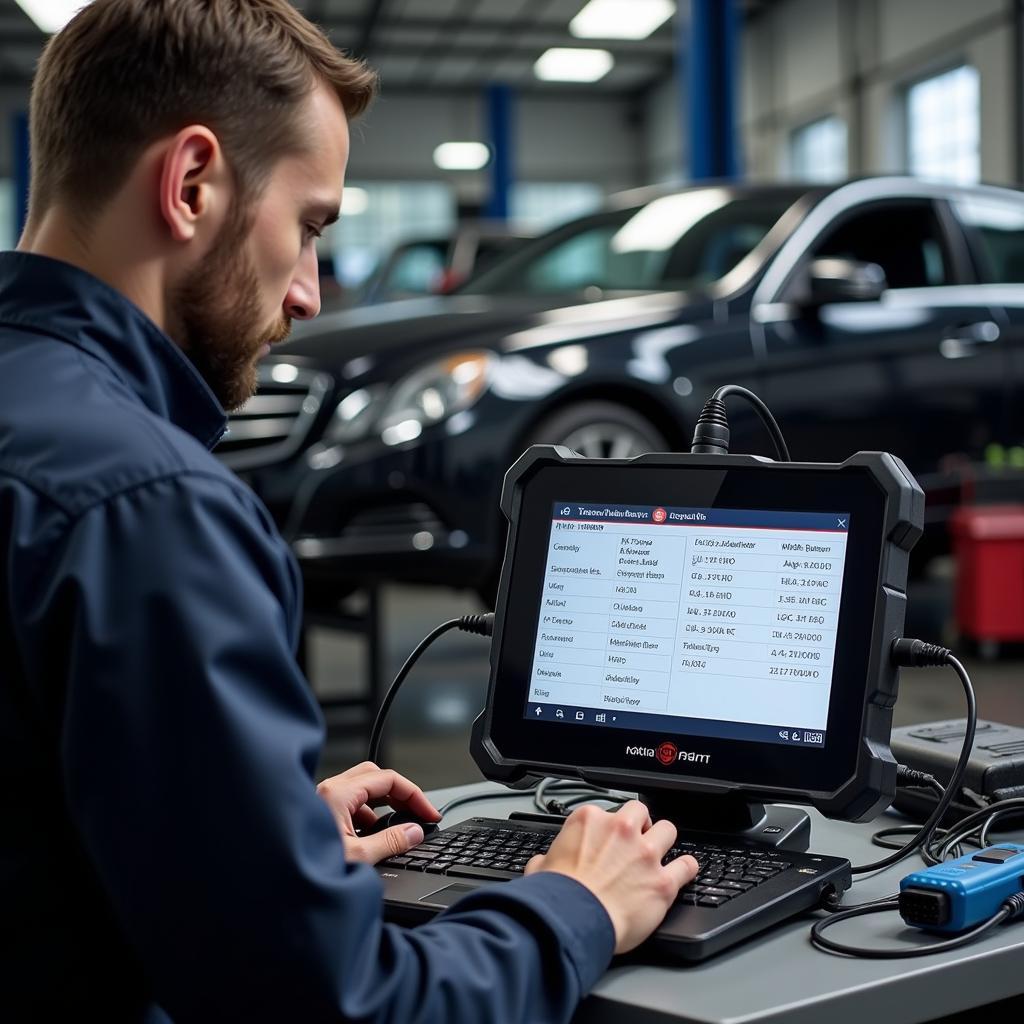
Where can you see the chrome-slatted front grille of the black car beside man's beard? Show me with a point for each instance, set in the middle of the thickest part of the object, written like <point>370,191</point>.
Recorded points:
<point>273,425</point>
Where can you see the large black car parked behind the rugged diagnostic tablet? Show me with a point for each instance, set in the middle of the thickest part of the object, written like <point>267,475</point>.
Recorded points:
<point>883,314</point>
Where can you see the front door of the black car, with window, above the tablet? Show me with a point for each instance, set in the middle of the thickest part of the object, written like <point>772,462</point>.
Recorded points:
<point>919,372</point>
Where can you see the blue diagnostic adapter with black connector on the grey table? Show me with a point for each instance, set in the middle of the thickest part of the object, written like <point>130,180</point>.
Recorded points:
<point>959,894</point>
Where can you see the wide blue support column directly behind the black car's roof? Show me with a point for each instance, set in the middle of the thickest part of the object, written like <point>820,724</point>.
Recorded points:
<point>708,45</point>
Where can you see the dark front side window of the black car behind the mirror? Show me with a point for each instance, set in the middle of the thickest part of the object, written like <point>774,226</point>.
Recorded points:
<point>905,239</point>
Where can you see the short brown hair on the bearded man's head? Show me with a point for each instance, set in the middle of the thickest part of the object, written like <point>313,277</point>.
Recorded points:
<point>124,73</point>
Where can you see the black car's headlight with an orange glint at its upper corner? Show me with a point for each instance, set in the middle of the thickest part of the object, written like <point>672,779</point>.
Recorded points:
<point>434,394</point>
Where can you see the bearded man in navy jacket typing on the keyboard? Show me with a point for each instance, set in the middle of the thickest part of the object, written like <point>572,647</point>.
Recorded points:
<point>165,854</point>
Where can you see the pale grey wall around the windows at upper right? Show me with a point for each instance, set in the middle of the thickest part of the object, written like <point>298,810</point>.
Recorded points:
<point>807,59</point>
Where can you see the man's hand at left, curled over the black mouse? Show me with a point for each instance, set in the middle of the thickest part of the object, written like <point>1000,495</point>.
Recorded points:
<point>352,797</point>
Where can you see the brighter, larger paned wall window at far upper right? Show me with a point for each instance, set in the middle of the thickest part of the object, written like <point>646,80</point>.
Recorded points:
<point>944,129</point>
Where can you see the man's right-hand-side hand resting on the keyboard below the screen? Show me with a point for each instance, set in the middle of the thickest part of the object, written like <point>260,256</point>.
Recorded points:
<point>619,859</point>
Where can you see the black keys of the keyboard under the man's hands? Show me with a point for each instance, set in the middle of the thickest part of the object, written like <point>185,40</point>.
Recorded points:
<point>494,854</point>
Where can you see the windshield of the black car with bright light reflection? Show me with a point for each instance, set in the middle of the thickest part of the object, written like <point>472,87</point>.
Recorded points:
<point>676,242</point>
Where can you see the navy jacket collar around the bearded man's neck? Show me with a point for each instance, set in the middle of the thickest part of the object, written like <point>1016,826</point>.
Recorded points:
<point>63,302</point>
